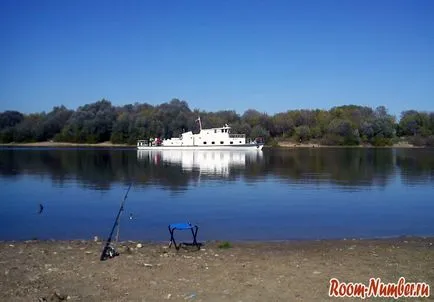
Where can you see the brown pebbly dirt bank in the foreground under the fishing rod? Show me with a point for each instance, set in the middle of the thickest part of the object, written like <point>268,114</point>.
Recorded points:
<point>259,271</point>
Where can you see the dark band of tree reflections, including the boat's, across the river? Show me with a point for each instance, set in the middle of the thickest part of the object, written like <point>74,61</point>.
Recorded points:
<point>177,170</point>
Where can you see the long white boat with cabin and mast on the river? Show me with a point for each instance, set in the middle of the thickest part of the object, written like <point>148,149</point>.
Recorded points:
<point>207,139</point>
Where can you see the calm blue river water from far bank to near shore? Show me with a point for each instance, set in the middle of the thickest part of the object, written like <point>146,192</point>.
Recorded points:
<point>272,195</point>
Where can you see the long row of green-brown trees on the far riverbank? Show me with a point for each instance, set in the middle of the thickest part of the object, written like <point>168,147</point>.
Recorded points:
<point>101,122</point>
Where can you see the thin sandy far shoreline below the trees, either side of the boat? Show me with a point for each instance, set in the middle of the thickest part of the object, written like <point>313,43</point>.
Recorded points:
<point>283,145</point>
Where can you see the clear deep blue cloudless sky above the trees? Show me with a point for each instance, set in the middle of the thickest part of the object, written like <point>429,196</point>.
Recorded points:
<point>271,56</point>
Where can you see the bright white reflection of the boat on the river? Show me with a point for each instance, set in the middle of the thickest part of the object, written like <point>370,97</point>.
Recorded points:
<point>207,162</point>
